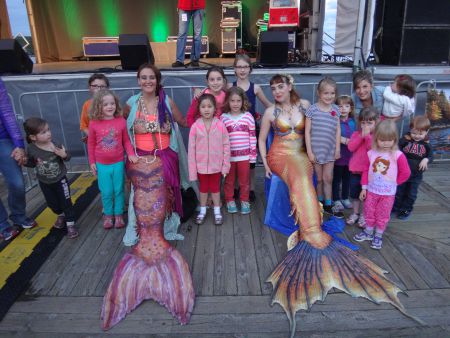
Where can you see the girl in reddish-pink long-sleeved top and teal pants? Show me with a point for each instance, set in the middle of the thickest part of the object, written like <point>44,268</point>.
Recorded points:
<point>107,139</point>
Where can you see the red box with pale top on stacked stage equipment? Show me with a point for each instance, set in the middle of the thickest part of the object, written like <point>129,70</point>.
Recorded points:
<point>284,13</point>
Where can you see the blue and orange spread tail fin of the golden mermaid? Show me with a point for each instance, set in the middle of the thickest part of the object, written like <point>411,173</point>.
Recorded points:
<point>306,275</point>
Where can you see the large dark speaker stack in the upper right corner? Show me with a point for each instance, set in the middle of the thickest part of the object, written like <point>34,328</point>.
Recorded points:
<point>413,32</point>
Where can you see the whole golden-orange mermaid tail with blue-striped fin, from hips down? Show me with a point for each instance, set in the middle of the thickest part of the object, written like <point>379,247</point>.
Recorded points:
<point>315,263</point>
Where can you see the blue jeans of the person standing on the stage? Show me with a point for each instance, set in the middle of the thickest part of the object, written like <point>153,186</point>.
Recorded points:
<point>183,26</point>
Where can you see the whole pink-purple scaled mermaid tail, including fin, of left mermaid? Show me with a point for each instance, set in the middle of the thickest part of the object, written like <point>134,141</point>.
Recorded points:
<point>153,269</point>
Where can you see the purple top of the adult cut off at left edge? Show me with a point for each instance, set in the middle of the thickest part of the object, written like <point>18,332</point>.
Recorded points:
<point>8,124</point>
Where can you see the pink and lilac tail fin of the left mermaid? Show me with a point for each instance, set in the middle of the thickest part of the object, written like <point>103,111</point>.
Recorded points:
<point>167,281</point>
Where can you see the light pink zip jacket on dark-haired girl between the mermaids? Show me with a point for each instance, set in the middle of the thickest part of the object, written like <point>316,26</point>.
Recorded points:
<point>209,152</point>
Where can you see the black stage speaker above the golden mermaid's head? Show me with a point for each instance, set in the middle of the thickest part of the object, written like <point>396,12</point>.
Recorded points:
<point>273,48</point>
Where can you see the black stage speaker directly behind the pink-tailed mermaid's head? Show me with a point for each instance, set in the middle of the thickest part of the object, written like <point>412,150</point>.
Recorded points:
<point>134,50</point>
